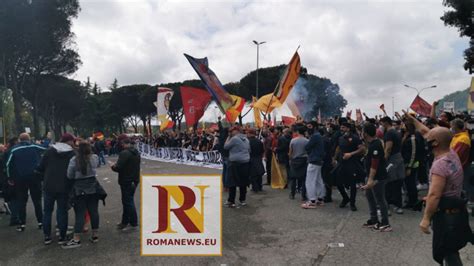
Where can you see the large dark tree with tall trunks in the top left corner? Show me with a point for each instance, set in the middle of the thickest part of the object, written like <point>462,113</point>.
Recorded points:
<point>35,40</point>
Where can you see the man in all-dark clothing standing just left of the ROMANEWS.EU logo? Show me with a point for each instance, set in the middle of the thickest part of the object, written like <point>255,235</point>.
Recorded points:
<point>128,167</point>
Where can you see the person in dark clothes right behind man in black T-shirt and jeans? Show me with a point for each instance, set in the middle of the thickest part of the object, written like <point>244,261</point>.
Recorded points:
<point>395,164</point>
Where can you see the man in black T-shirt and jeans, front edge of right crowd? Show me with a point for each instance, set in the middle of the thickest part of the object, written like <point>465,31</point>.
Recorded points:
<point>377,177</point>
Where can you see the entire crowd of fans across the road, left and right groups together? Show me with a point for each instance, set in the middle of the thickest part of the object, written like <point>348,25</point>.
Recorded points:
<point>390,159</point>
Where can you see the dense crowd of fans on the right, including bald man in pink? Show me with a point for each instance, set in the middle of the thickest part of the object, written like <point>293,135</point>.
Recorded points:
<point>391,160</point>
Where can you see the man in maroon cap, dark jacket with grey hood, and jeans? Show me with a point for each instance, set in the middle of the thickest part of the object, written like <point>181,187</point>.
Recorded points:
<point>53,166</point>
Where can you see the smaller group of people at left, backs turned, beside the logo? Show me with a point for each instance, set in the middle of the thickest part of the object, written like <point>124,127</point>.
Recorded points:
<point>65,174</point>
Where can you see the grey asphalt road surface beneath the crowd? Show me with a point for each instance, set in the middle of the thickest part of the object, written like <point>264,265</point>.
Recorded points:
<point>271,230</point>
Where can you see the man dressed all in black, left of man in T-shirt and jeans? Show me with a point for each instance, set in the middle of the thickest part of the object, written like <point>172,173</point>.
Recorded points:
<point>349,150</point>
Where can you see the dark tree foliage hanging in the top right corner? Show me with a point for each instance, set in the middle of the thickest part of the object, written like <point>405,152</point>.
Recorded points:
<point>461,16</point>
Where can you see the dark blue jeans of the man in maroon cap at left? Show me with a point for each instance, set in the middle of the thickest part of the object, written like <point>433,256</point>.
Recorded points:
<point>61,212</point>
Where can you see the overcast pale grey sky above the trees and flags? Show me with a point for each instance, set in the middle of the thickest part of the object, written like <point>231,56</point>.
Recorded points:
<point>369,48</point>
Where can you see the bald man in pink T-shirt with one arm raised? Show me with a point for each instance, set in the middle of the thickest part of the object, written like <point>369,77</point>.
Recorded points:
<point>445,209</point>
